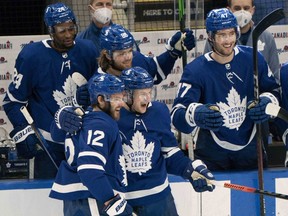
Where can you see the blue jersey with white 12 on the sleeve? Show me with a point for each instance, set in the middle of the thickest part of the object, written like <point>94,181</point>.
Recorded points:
<point>95,165</point>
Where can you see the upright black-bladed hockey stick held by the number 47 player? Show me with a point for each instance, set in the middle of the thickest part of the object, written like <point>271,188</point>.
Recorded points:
<point>267,21</point>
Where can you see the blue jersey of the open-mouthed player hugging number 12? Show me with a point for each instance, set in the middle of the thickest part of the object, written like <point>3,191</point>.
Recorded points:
<point>151,151</point>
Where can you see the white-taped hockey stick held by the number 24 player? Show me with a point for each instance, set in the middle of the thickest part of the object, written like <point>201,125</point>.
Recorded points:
<point>38,134</point>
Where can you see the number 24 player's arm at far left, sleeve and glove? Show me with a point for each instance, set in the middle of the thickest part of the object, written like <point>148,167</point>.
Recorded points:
<point>17,95</point>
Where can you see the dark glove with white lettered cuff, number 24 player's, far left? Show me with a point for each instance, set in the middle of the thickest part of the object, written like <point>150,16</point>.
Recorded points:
<point>25,140</point>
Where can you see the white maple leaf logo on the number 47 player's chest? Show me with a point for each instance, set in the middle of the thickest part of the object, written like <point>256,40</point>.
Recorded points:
<point>234,112</point>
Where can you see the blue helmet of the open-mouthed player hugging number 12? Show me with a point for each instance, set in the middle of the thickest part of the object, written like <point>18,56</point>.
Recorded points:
<point>136,78</point>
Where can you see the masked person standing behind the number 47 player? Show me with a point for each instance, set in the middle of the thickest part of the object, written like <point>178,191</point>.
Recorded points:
<point>244,10</point>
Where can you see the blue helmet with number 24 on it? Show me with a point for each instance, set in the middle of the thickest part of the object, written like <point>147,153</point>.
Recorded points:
<point>58,13</point>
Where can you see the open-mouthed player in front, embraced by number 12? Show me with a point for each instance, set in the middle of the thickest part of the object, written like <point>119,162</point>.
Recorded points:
<point>151,150</point>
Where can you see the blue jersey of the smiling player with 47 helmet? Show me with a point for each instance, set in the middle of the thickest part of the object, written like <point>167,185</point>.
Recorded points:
<point>230,86</point>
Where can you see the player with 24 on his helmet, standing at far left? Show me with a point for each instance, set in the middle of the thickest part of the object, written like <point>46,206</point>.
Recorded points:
<point>43,82</point>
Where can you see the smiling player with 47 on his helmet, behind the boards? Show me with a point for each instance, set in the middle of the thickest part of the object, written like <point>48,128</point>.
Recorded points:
<point>213,95</point>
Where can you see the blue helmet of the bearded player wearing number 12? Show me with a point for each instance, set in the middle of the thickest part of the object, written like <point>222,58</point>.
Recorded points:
<point>104,84</point>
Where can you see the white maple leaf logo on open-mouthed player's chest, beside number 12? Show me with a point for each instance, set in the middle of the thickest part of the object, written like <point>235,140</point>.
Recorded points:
<point>138,155</point>
